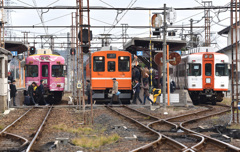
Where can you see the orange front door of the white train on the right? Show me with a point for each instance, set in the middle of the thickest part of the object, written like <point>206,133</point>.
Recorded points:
<point>208,74</point>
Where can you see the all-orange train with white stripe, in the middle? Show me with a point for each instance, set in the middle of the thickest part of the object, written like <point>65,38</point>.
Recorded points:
<point>106,65</point>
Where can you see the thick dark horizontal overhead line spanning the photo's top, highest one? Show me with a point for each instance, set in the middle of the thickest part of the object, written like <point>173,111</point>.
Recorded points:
<point>115,8</point>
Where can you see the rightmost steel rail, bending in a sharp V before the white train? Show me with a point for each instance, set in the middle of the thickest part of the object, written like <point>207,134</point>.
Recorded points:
<point>229,146</point>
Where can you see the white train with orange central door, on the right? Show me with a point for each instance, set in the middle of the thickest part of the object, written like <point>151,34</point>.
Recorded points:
<point>205,75</point>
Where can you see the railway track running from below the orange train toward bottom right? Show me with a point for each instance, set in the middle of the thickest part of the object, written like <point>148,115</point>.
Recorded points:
<point>161,143</point>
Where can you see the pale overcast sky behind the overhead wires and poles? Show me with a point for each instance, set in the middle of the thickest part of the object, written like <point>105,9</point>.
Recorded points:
<point>107,17</point>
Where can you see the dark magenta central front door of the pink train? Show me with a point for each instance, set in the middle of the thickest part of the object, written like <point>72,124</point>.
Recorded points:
<point>44,73</point>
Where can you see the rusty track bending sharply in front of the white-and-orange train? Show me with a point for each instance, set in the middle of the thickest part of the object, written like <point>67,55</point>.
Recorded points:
<point>174,128</point>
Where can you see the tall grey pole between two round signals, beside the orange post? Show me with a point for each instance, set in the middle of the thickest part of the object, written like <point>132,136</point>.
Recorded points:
<point>164,57</point>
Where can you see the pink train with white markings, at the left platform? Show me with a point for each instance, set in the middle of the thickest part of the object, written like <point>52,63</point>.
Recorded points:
<point>47,67</point>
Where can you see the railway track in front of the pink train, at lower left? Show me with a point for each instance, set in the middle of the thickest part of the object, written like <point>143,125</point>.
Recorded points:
<point>24,131</point>
